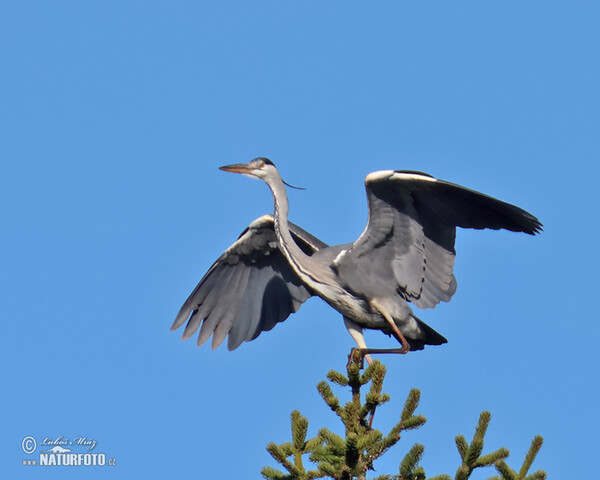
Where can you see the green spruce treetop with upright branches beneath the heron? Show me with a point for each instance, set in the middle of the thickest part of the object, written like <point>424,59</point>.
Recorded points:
<point>351,457</point>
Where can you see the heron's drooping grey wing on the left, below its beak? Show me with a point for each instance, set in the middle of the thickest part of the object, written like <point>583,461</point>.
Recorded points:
<point>249,289</point>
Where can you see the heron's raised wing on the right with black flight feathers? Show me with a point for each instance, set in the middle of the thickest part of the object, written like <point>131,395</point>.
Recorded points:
<point>408,244</point>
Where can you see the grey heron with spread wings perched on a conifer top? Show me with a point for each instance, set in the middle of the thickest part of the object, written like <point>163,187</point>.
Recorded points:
<point>404,256</point>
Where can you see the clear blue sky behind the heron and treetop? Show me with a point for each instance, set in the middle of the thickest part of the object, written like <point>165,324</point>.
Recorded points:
<point>114,117</point>
